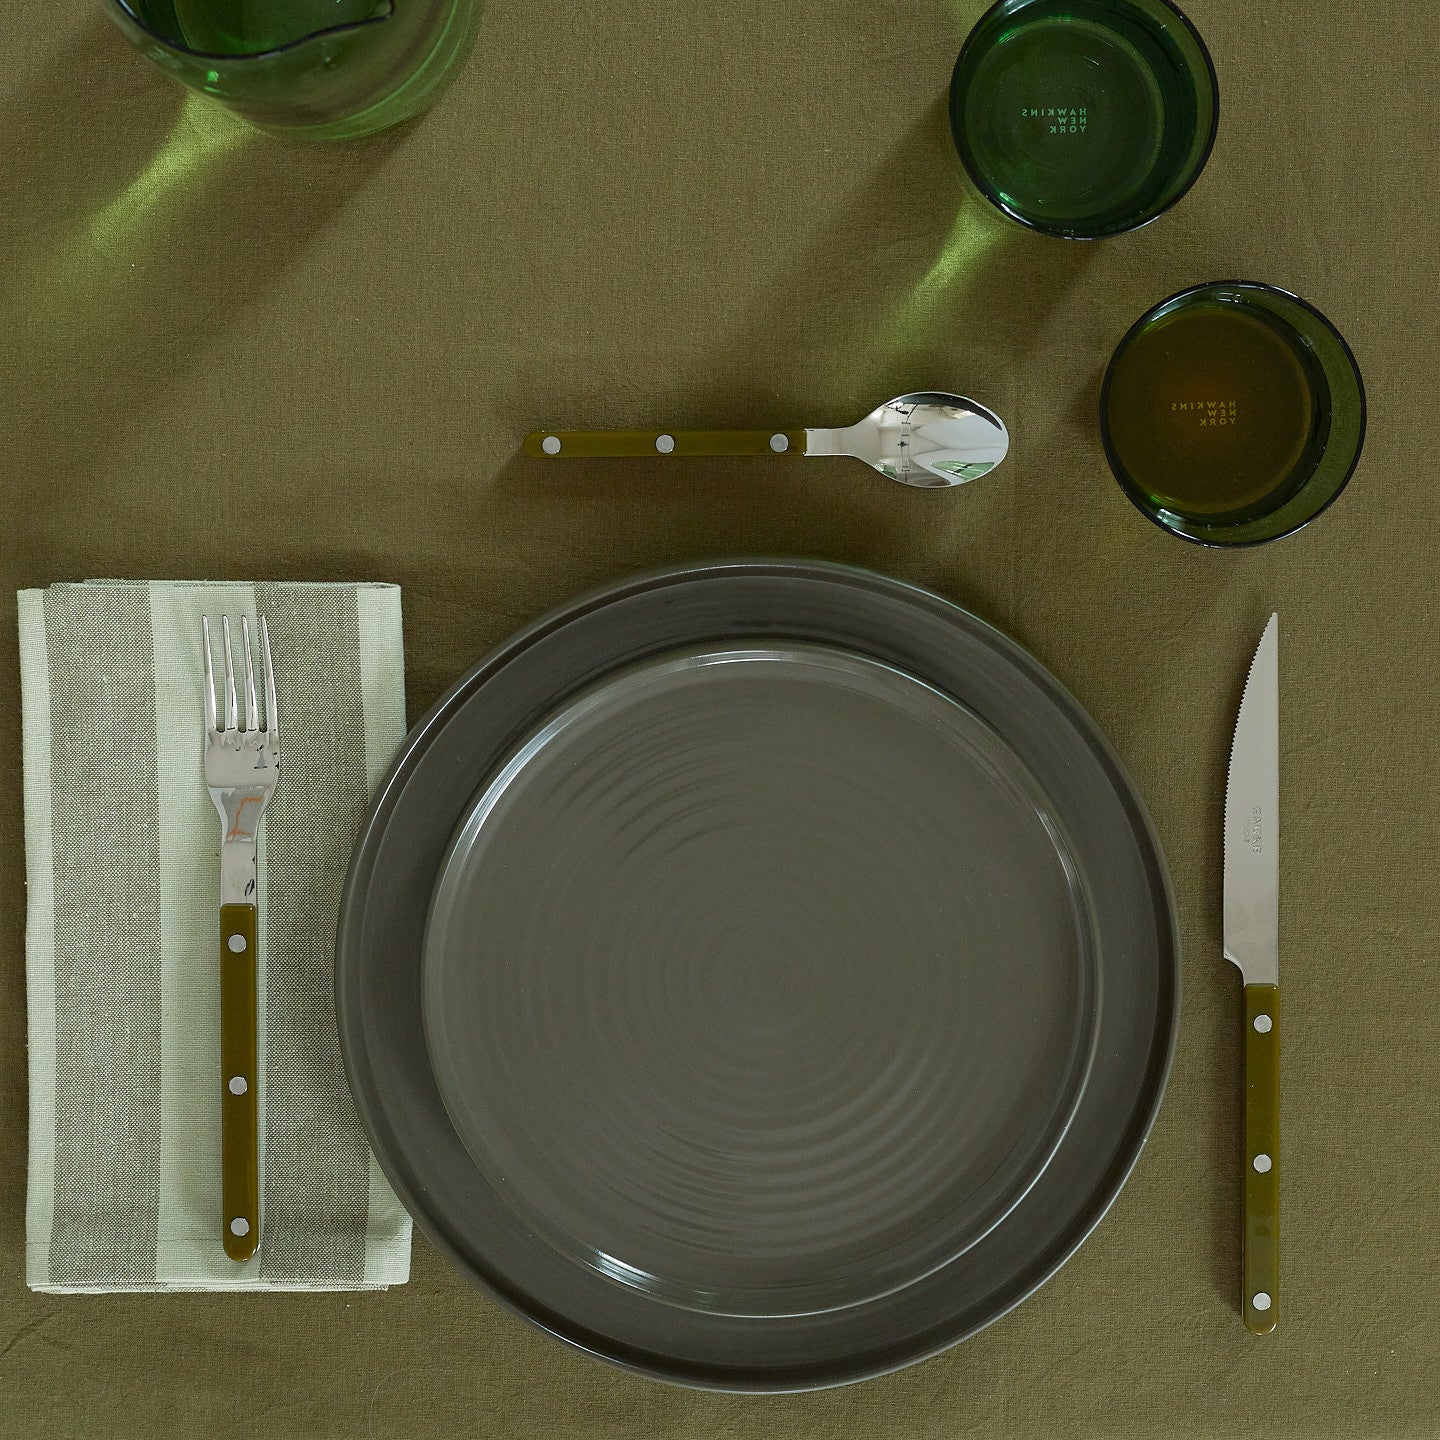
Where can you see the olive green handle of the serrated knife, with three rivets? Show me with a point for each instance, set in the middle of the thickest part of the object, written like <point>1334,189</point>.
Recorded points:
<point>1261,1264</point>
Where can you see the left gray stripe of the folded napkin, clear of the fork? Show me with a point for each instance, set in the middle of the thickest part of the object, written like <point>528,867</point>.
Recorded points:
<point>106,836</point>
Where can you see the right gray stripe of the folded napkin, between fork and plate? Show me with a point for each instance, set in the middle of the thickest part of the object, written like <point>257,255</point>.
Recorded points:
<point>310,829</point>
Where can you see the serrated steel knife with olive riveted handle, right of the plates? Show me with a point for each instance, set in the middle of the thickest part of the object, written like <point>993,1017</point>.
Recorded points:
<point>1254,945</point>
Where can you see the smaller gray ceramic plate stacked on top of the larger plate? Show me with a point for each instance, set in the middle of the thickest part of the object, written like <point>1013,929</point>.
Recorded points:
<point>783,951</point>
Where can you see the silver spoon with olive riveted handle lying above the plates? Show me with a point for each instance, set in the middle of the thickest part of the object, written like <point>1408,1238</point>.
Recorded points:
<point>928,438</point>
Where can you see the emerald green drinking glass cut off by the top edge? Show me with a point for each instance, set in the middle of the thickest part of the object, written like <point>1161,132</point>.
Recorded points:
<point>1084,119</point>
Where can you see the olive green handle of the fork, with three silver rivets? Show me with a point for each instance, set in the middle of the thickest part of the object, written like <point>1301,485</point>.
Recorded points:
<point>240,1115</point>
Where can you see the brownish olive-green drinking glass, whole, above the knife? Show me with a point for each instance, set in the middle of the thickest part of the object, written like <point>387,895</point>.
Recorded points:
<point>1233,414</point>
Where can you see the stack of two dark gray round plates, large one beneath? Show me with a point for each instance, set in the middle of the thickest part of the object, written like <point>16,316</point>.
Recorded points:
<point>724,1220</point>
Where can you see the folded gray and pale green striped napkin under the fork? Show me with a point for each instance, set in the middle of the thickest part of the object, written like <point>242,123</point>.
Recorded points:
<point>122,940</point>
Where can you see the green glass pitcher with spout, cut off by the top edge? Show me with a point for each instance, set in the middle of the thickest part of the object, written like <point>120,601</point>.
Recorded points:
<point>326,70</point>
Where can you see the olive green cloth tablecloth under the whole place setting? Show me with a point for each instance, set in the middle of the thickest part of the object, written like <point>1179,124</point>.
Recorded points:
<point>230,356</point>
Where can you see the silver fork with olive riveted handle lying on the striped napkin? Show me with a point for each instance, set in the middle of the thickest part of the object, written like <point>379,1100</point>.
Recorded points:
<point>241,768</point>
